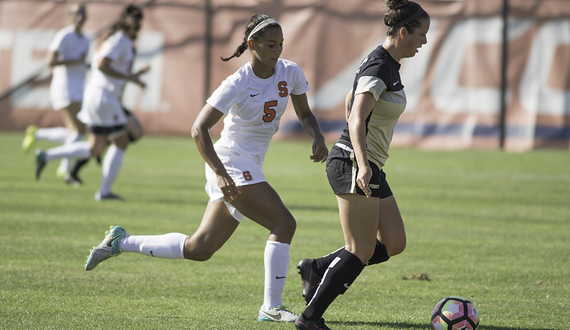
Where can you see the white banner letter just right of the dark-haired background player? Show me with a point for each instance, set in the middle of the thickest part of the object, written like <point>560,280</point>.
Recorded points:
<point>149,52</point>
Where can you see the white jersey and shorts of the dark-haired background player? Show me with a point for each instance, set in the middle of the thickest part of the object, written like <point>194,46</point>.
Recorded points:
<point>102,98</point>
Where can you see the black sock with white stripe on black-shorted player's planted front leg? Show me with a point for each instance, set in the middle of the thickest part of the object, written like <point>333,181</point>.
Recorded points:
<point>337,279</point>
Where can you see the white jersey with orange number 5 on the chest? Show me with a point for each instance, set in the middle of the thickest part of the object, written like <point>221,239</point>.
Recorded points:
<point>254,106</point>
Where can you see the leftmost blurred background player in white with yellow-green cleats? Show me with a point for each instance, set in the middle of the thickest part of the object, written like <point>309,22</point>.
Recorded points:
<point>67,56</point>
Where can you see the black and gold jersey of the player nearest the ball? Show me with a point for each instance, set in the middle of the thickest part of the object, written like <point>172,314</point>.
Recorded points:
<point>379,74</point>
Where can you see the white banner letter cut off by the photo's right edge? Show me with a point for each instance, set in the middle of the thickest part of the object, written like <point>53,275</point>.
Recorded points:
<point>536,96</point>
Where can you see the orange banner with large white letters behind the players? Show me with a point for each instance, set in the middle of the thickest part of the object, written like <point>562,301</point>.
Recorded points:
<point>453,84</point>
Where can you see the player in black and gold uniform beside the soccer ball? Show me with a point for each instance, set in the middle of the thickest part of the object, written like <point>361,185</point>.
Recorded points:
<point>371,222</point>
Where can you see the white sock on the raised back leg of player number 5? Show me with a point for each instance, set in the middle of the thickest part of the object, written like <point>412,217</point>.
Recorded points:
<point>168,246</point>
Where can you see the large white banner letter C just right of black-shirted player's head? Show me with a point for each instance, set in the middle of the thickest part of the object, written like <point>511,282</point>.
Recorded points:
<point>446,93</point>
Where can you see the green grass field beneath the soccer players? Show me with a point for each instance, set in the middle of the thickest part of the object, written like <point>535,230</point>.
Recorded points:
<point>490,226</point>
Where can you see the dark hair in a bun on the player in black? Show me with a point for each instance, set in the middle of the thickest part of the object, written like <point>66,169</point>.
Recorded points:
<point>403,13</point>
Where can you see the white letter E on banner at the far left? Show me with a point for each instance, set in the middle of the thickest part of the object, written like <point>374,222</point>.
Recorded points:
<point>25,65</point>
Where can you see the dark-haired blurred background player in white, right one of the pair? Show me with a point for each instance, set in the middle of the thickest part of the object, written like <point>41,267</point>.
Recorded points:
<point>102,111</point>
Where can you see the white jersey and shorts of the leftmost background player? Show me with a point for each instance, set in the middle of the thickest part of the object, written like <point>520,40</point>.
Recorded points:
<point>68,80</point>
